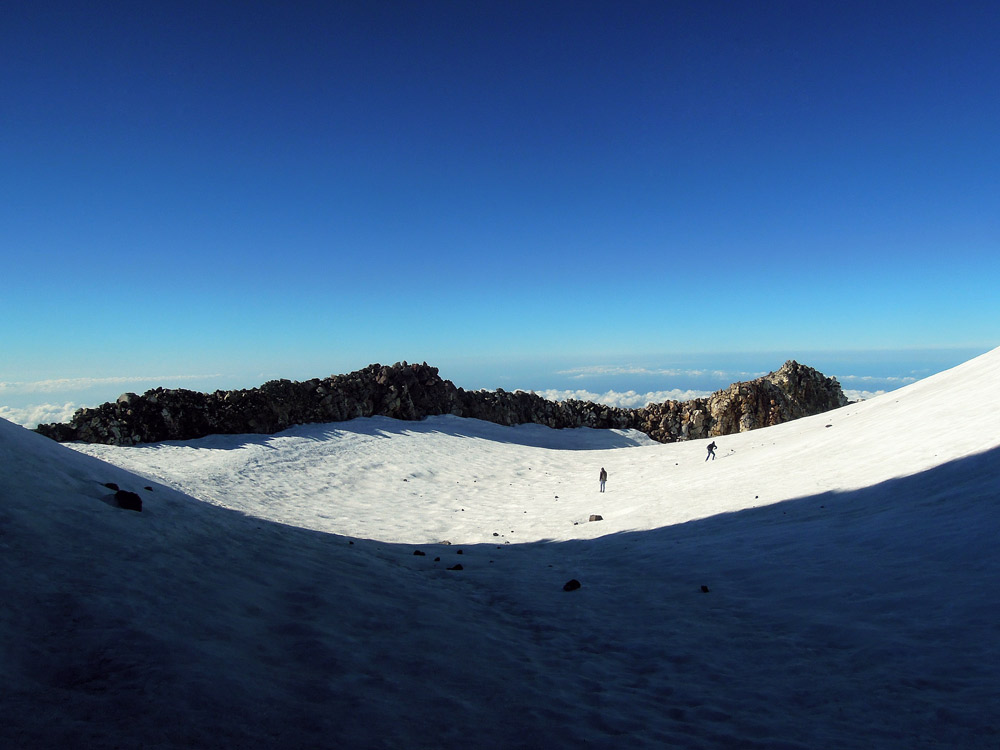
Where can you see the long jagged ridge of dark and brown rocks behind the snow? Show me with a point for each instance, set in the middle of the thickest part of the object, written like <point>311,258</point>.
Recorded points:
<point>412,392</point>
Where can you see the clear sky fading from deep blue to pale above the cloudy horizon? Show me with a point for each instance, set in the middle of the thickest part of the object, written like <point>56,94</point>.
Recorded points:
<point>247,190</point>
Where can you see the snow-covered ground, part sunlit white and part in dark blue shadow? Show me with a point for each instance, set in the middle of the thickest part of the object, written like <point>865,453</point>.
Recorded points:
<point>269,595</point>
